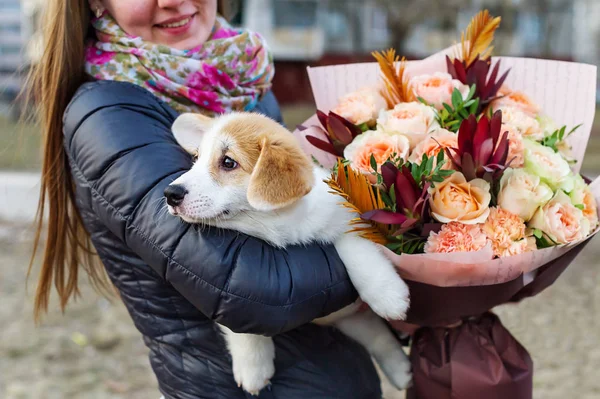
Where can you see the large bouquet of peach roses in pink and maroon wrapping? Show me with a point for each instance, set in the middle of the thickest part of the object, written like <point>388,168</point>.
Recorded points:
<point>459,166</point>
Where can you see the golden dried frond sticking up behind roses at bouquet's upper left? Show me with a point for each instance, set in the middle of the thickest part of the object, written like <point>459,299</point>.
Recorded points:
<point>396,84</point>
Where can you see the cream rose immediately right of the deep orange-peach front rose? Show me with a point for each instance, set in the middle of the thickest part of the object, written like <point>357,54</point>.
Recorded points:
<point>522,193</point>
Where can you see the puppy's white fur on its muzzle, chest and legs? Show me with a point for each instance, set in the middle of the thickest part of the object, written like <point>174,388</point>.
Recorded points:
<point>317,217</point>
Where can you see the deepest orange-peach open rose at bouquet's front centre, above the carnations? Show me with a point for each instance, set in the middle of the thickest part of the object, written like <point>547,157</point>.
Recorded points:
<point>456,200</point>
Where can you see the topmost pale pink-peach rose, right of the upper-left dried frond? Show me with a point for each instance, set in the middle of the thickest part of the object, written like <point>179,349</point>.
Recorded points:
<point>437,89</point>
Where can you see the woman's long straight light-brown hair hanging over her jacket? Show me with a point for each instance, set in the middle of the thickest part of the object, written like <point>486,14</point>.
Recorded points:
<point>51,84</point>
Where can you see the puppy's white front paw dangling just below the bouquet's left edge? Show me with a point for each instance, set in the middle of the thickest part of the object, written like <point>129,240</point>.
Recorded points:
<point>390,301</point>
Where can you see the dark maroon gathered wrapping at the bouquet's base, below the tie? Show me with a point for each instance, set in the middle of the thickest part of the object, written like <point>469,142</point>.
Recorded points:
<point>479,359</point>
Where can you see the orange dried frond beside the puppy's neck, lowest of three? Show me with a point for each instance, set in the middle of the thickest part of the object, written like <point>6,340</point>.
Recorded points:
<point>359,197</point>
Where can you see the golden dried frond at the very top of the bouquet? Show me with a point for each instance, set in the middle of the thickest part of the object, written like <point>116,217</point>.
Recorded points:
<point>476,41</point>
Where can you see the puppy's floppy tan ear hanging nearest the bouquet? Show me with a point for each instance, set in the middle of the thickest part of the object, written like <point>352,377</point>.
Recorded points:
<point>283,174</point>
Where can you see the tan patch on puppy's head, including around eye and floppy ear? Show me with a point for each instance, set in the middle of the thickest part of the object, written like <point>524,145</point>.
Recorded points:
<point>280,172</point>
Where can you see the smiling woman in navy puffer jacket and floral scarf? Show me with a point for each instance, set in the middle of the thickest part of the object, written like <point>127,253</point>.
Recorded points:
<point>107,105</point>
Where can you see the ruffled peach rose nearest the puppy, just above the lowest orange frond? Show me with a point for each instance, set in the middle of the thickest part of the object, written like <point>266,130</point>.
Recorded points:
<point>380,145</point>
